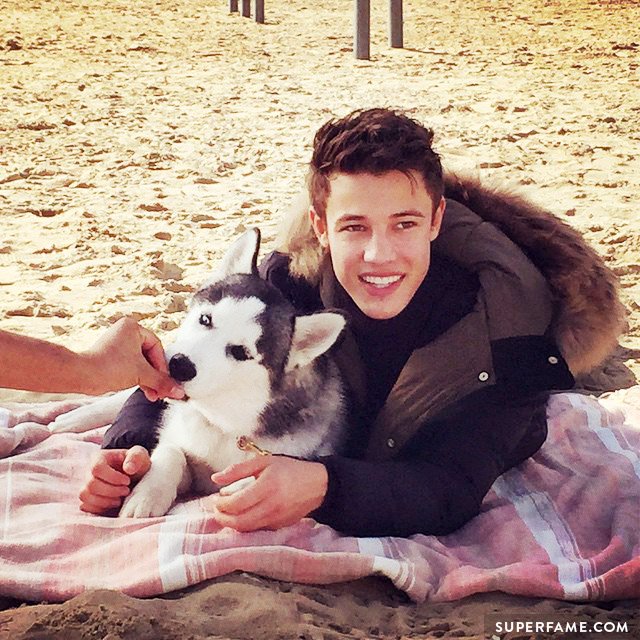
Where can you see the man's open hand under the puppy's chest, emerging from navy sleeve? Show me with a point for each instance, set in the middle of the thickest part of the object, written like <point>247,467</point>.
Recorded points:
<point>285,490</point>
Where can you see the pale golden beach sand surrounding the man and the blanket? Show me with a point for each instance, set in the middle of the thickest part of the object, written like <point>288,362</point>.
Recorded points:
<point>138,138</point>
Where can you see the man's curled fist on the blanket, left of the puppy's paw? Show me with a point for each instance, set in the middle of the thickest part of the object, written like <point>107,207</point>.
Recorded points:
<point>112,475</point>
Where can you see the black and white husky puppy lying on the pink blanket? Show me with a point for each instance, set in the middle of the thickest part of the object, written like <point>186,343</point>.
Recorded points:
<point>250,366</point>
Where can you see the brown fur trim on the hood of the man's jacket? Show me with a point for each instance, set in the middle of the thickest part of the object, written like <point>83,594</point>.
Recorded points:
<point>588,315</point>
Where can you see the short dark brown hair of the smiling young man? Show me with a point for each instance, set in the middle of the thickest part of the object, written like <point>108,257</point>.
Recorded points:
<point>372,141</point>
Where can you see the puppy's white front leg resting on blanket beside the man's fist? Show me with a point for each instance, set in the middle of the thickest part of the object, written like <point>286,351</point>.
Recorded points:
<point>156,492</point>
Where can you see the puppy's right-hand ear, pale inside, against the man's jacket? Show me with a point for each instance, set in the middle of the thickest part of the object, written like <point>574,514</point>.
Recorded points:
<point>312,336</point>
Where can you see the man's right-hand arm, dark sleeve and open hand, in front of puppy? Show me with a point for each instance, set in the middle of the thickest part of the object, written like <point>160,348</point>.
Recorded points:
<point>434,488</point>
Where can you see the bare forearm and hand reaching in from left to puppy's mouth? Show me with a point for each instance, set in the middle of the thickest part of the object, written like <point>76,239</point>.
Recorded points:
<point>126,355</point>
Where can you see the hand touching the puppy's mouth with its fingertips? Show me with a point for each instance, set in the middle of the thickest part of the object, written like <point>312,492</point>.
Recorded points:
<point>127,355</point>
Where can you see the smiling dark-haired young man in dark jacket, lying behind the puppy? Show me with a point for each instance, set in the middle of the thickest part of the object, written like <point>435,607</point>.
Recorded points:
<point>448,357</point>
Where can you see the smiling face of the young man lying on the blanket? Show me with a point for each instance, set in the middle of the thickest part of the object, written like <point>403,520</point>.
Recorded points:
<point>378,230</point>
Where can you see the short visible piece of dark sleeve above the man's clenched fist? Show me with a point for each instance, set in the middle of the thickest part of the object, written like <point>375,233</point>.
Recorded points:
<point>135,424</point>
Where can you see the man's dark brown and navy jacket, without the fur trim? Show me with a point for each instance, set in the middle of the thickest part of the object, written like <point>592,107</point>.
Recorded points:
<point>467,404</point>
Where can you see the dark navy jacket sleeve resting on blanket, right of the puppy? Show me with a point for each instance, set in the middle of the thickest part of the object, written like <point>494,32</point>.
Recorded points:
<point>439,480</point>
